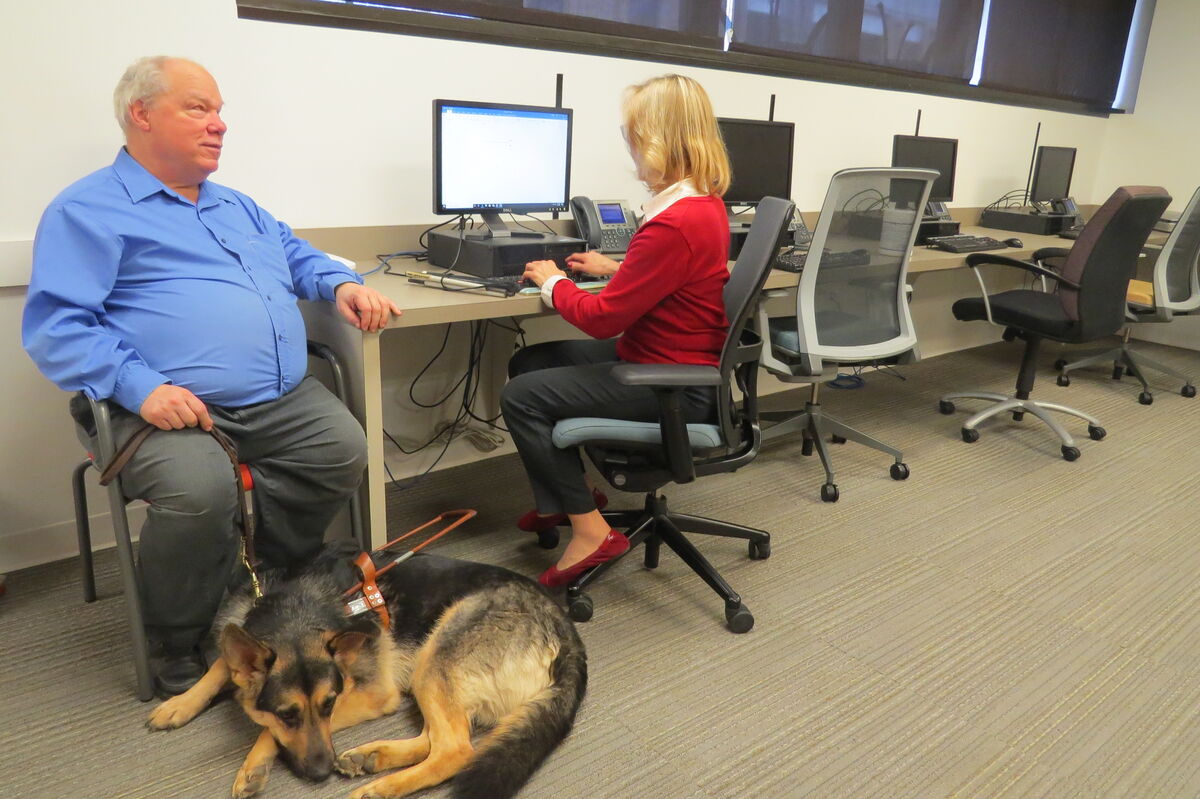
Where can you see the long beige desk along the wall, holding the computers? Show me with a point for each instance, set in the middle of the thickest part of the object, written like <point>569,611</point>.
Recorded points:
<point>429,307</point>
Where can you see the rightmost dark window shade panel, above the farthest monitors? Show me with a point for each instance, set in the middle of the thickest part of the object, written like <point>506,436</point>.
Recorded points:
<point>1063,49</point>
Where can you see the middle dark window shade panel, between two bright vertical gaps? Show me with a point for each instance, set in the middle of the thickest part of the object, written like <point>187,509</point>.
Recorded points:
<point>933,38</point>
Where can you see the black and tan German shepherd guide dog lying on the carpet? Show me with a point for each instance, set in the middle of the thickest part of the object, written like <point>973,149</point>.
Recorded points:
<point>479,648</point>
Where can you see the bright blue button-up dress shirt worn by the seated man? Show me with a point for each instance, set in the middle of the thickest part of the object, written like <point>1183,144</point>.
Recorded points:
<point>135,286</point>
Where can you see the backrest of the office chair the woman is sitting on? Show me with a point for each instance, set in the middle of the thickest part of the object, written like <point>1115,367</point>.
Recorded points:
<point>741,298</point>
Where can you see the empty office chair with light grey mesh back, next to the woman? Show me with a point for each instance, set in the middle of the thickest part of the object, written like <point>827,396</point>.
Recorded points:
<point>848,315</point>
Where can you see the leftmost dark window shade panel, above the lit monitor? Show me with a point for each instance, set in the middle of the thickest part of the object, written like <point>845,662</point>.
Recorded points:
<point>687,22</point>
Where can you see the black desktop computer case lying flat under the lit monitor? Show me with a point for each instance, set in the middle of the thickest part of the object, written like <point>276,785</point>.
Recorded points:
<point>501,257</point>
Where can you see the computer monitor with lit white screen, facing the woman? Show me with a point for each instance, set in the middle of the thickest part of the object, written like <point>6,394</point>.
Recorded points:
<point>494,159</point>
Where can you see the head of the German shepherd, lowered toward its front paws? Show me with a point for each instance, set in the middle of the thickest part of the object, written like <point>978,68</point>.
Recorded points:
<point>295,689</point>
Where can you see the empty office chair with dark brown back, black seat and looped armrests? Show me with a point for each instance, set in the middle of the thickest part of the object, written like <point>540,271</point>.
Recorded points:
<point>1088,304</point>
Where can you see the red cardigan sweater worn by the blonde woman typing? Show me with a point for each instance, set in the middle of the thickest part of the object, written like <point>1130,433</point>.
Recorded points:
<point>667,299</point>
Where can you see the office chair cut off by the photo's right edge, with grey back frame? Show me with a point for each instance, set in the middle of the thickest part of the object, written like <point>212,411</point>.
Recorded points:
<point>1174,290</point>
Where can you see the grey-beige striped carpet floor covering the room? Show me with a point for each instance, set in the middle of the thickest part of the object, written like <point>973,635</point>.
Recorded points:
<point>1001,624</point>
